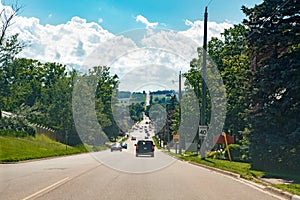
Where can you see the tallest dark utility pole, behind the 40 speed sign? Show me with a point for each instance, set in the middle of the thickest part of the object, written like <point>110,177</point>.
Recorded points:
<point>203,110</point>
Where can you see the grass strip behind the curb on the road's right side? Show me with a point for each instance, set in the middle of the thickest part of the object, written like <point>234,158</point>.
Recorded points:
<point>244,170</point>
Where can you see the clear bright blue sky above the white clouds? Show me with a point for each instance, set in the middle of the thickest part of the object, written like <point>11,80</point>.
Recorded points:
<point>118,15</point>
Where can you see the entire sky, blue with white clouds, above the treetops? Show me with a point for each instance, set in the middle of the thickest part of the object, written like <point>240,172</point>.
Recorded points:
<point>69,31</point>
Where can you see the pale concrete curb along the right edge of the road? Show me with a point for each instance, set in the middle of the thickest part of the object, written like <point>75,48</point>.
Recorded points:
<point>273,190</point>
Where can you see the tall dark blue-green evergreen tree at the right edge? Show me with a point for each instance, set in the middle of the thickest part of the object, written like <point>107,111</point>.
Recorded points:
<point>274,40</point>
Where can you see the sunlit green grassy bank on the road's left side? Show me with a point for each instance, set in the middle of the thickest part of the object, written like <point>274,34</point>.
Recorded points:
<point>13,149</point>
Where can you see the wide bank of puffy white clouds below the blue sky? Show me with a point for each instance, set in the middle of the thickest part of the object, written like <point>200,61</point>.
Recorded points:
<point>80,44</point>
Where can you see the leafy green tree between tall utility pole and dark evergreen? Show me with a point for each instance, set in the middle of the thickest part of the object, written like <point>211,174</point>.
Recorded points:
<point>231,56</point>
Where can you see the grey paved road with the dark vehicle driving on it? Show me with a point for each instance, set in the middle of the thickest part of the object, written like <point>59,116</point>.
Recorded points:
<point>119,175</point>
